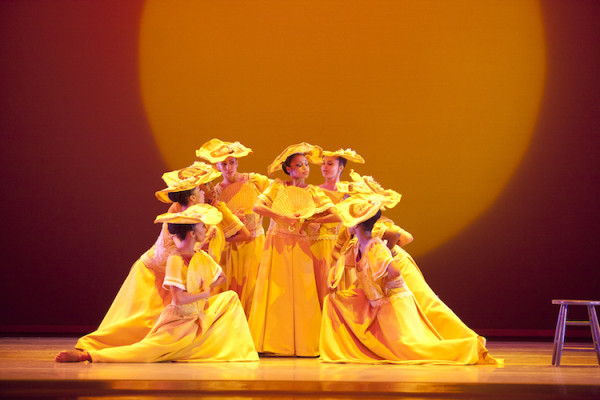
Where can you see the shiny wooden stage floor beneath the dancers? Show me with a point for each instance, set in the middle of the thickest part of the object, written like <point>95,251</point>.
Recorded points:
<point>27,371</point>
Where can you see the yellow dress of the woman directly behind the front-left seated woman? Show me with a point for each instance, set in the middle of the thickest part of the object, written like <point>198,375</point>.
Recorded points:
<point>142,296</point>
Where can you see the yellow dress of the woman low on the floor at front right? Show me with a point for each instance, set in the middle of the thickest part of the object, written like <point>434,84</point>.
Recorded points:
<point>393,330</point>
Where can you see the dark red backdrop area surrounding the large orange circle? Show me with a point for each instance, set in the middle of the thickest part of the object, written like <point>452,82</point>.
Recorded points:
<point>79,166</point>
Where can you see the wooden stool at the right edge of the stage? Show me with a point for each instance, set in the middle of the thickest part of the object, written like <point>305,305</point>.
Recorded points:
<point>561,324</point>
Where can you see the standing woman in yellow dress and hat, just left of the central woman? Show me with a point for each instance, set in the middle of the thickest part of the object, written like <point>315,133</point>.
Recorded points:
<point>239,259</point>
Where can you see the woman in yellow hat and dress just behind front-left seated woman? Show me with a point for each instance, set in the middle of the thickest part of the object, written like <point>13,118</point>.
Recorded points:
<point>142,297</point>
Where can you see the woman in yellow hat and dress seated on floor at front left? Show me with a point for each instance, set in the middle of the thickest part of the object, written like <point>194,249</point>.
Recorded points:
<point>194,326</point>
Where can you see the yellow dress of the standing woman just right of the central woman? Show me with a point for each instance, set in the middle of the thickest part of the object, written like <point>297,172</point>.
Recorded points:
<point>322,242</point>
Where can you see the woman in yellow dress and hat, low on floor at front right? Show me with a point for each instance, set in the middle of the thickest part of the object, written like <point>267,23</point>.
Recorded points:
<point>378,319</point>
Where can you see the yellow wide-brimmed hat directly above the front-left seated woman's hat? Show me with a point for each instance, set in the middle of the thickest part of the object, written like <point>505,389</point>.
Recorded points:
<point>186,178</point>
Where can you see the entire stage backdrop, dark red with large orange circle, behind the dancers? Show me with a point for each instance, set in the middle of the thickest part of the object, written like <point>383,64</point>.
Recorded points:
<point>483,115</point>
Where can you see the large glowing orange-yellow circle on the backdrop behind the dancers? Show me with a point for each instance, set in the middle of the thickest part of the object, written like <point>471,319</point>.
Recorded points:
<point>440,98</point>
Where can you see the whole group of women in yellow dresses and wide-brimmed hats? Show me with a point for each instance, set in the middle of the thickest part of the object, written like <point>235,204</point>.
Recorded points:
<point>330,278</point>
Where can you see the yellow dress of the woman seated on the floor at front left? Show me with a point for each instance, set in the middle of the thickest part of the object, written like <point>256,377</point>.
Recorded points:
<point>213,329</point>
